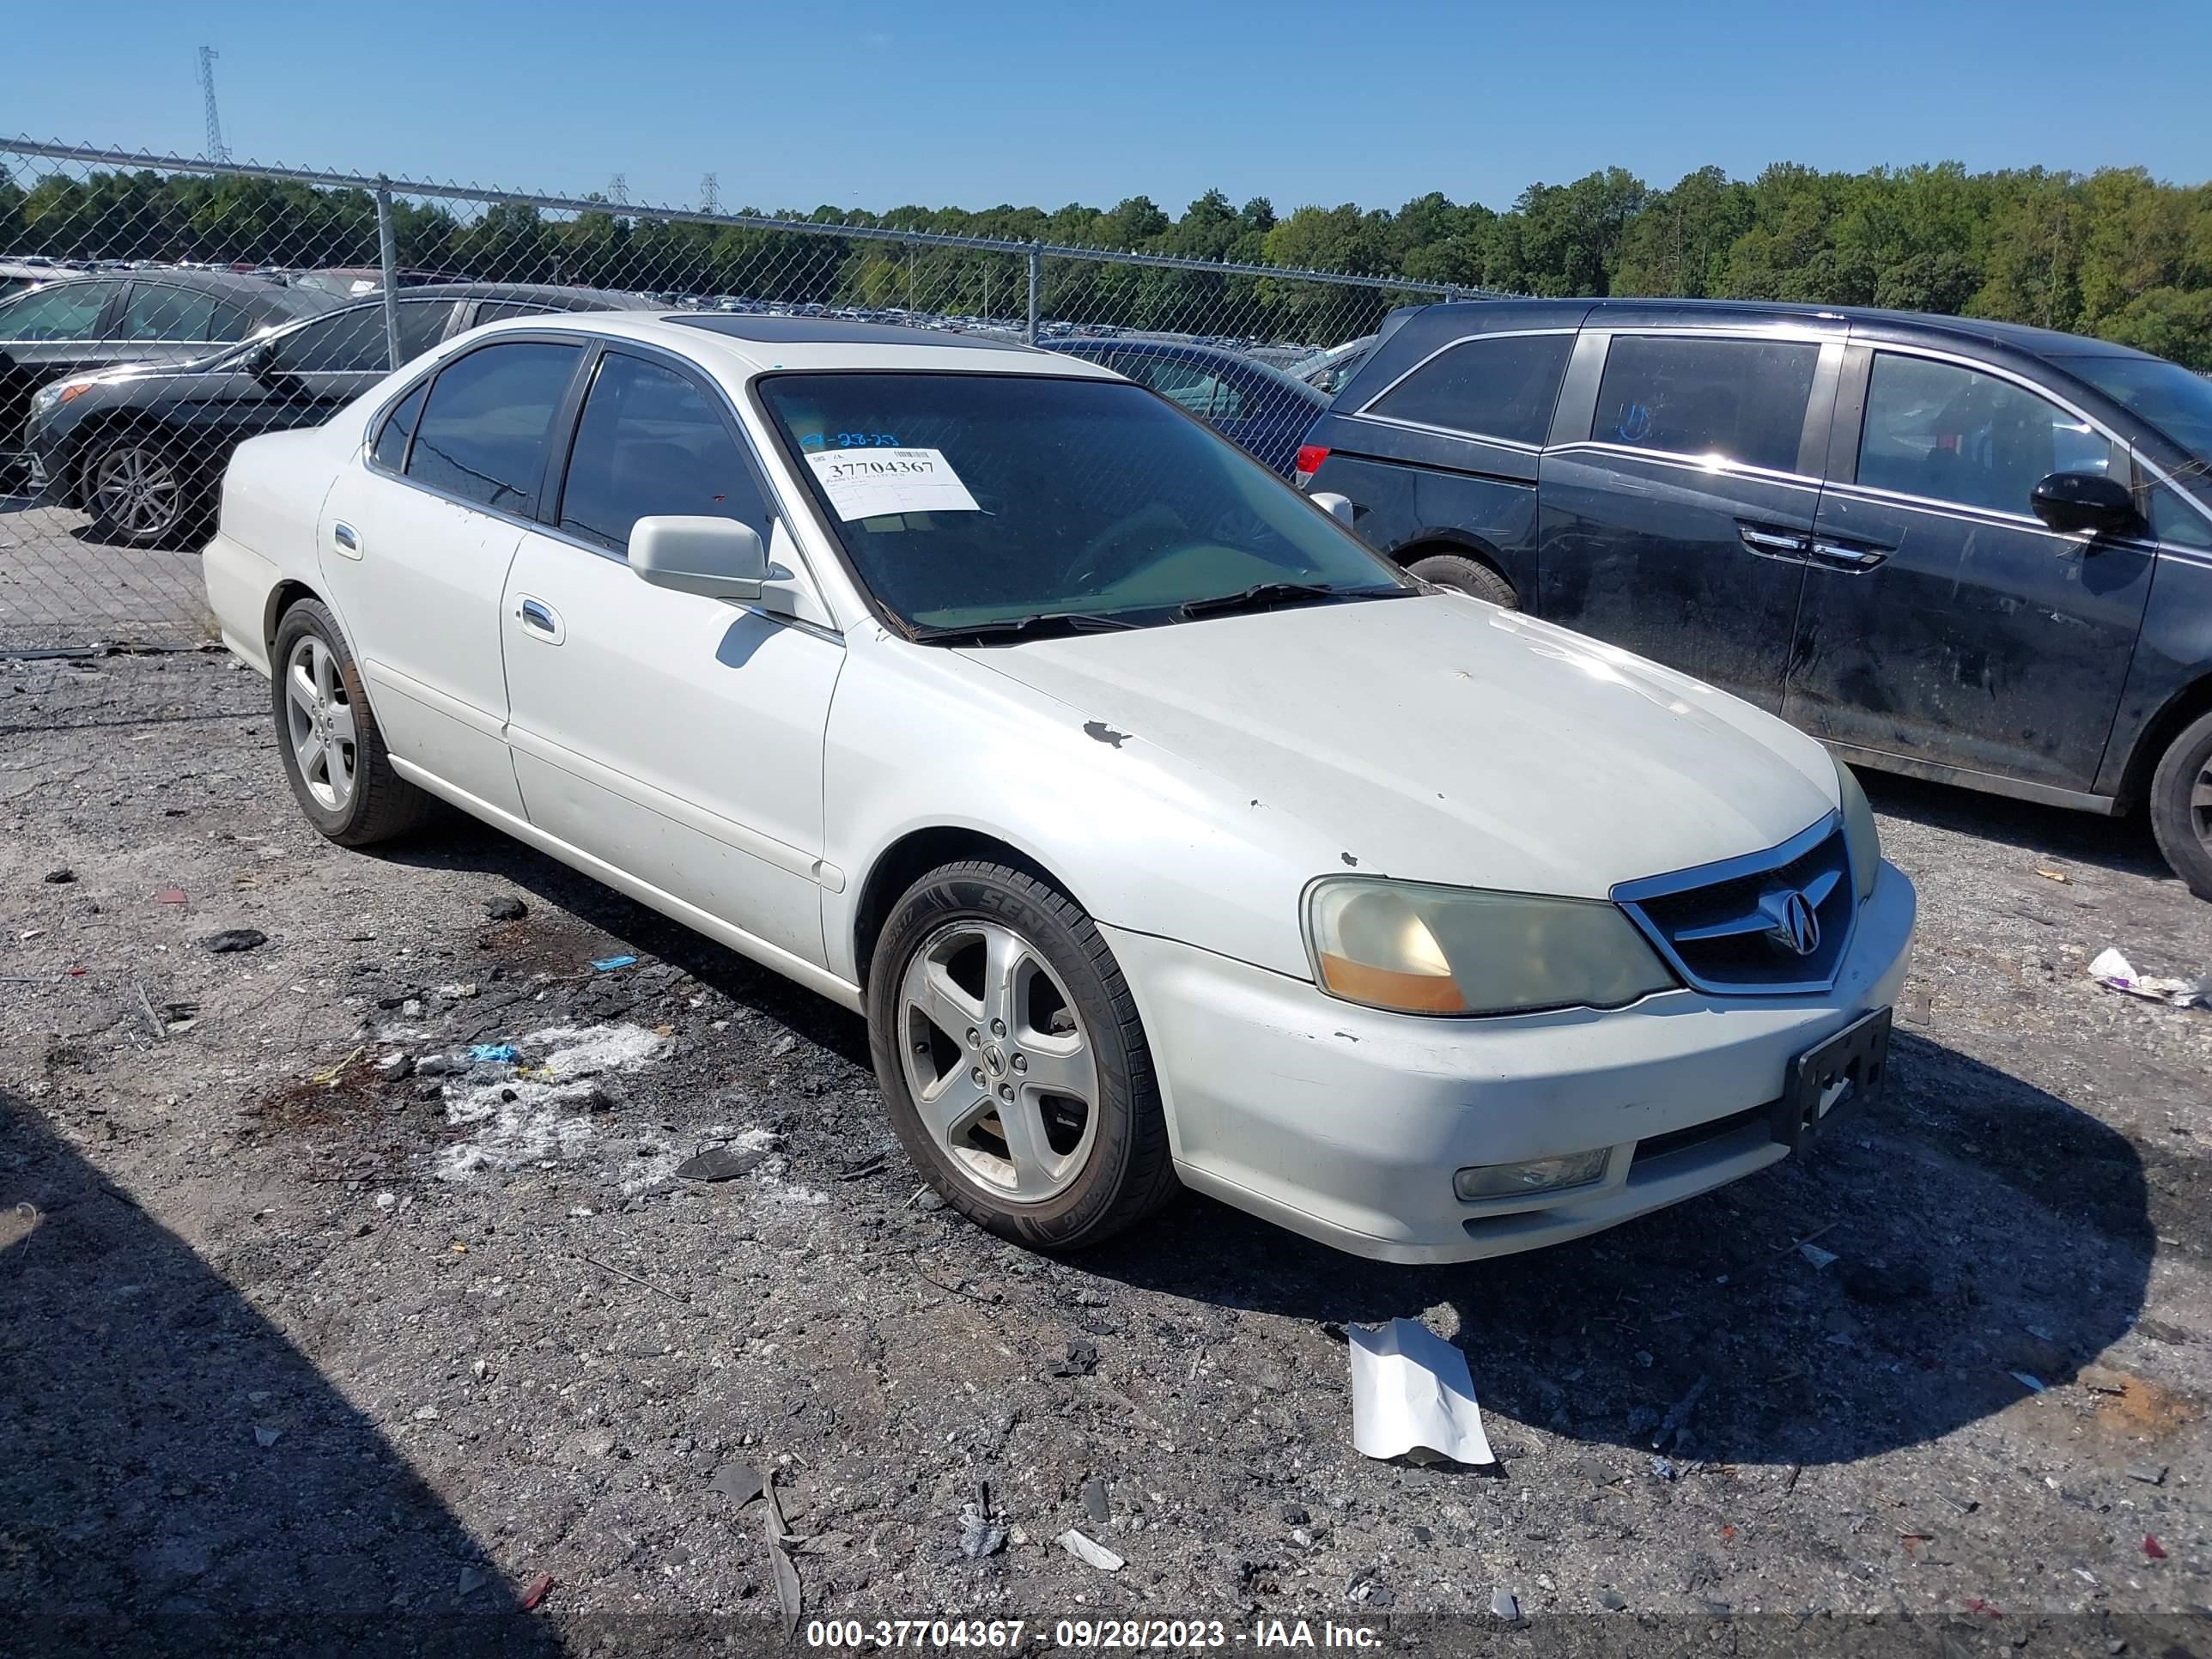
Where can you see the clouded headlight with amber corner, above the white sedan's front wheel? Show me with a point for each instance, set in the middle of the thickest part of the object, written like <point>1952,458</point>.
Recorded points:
<point>1452,950</point>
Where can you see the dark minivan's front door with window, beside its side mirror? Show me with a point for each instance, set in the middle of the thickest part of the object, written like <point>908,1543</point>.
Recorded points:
<point>1941,618</point>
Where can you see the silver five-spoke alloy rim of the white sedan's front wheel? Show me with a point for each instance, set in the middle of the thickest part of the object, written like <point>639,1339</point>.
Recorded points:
<point>999,1063</point>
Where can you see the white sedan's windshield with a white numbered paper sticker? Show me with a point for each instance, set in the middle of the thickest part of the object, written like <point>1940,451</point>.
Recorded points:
<point>994,499</point>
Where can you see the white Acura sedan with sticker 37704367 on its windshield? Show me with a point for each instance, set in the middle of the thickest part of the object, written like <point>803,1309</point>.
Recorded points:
<point>1162,833</point>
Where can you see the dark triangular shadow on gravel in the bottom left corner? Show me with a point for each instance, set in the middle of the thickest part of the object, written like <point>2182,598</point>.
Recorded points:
<point>140,1510</point>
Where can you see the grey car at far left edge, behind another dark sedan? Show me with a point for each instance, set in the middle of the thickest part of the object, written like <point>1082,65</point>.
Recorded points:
<point>138,317</point>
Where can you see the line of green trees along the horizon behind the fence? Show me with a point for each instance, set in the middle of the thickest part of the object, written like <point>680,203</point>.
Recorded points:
<point>2111,253</point>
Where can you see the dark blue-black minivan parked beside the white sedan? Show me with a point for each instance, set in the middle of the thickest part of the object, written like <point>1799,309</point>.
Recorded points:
<point>1959,550</point>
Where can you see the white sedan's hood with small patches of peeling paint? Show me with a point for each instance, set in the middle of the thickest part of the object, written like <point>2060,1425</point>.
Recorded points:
<point>1443,740</point>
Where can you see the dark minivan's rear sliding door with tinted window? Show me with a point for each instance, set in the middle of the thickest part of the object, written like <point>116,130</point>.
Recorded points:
<point>1680,519</point>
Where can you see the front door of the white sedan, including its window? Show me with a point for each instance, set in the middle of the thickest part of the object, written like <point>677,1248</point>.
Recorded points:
<point>671,735</point>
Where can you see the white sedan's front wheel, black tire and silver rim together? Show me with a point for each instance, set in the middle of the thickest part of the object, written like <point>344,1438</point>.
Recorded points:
<point>1014,1063</point>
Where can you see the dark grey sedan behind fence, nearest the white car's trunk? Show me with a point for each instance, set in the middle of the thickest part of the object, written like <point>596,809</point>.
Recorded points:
<point>143,450</point>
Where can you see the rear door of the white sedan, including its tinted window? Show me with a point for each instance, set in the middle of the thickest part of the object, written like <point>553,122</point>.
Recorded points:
<point>415,543</point>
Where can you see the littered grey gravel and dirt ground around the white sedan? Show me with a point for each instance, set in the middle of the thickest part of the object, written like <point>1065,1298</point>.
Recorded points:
<point>298,1335</point>
